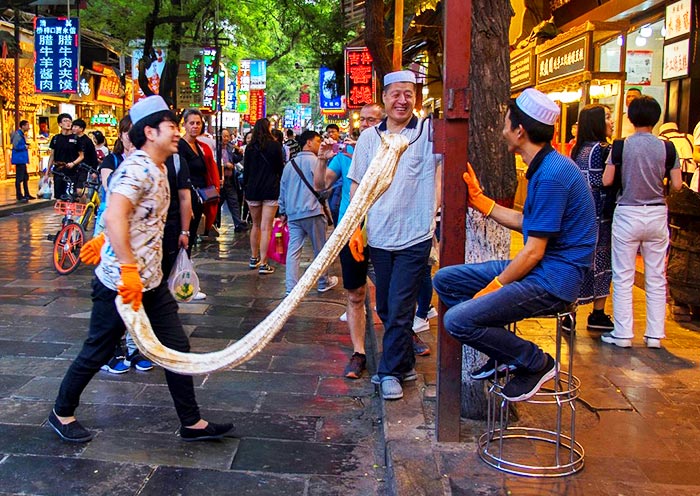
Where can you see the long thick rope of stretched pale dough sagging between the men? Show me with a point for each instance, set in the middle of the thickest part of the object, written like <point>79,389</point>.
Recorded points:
<point>376,181</point>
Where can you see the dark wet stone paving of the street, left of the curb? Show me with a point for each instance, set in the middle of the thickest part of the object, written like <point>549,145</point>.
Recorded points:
<point>301,428</point>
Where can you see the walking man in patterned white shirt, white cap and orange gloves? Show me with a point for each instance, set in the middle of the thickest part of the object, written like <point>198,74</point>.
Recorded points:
<point>130,266</point>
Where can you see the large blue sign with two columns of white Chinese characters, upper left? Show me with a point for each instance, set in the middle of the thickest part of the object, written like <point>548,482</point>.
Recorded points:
<point>56,54</point>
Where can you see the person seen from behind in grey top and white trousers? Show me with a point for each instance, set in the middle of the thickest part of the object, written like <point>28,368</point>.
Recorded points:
<point>640,222</point>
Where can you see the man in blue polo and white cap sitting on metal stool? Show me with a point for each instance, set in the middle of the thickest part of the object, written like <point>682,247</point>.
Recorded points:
<point>558,227</point>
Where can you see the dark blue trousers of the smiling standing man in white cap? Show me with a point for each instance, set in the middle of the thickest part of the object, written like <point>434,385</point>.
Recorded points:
<point>399,274</point>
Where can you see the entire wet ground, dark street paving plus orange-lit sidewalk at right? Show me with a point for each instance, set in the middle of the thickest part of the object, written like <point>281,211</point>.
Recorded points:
<point>300,427</point>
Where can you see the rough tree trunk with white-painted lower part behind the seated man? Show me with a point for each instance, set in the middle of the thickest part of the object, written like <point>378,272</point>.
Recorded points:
<point>495,167</point>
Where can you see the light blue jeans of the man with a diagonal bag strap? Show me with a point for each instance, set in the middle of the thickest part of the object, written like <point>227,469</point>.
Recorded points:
<point>313,227</point>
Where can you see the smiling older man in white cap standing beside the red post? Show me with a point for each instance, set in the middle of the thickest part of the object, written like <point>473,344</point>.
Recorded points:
<point>400,227</point>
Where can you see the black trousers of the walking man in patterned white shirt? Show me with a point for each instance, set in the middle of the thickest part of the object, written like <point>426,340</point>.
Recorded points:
<point>107,329</point>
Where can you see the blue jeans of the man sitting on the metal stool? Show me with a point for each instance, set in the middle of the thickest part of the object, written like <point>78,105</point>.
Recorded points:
<point>480,323</point>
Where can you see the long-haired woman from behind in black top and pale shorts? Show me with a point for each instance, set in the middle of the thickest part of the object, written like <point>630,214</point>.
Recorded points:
<point>263,163</point>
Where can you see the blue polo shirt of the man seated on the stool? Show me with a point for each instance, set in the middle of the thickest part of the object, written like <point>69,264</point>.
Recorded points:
<point>559,206</point>
